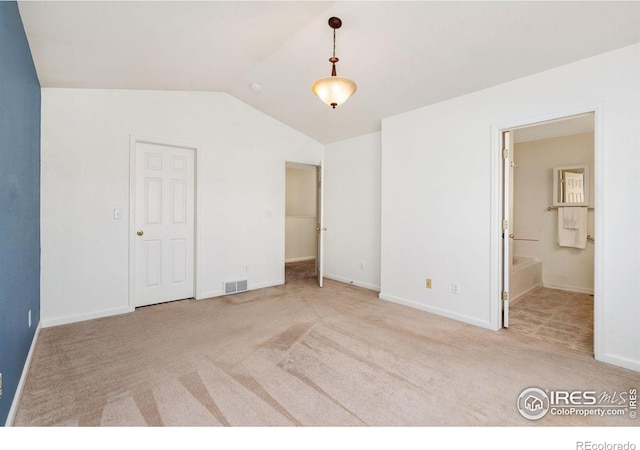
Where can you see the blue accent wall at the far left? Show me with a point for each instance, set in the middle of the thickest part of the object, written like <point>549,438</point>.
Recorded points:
<point>19,201</point>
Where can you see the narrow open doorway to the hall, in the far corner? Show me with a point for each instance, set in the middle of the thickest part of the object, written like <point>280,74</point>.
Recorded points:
<point>301,248</point>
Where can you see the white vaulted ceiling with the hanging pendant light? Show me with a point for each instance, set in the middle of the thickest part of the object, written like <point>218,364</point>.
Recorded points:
<point>402,55</point>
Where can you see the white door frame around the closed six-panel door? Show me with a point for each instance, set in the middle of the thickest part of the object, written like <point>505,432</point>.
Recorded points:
<point>133,141</point>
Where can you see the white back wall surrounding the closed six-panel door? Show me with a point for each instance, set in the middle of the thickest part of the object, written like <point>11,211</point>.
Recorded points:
<point>85,175</point>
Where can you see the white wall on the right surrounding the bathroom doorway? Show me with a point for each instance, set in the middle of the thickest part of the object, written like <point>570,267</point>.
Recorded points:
<point>441,195</point>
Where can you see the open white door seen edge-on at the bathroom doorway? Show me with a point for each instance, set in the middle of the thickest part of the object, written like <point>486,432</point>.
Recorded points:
<point>507,221</point>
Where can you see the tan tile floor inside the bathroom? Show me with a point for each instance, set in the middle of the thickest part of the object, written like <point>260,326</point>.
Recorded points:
<point>561,317</point>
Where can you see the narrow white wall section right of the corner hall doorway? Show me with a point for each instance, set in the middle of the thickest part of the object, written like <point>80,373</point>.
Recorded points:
<point>352,211</point>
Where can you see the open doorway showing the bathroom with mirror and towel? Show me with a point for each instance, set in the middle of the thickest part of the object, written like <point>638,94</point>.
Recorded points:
<point>550,242</point>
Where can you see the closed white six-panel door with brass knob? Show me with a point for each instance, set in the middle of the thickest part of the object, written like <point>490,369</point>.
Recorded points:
<point>164,223</point>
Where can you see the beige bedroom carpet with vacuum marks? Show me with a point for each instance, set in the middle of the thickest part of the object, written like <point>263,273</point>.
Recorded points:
<point>297,355</point>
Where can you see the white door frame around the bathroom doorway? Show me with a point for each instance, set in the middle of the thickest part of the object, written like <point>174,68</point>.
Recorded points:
<point>497,193</point>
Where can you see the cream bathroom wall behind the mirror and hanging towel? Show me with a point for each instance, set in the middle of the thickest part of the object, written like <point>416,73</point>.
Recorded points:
<point>563,267</point>
